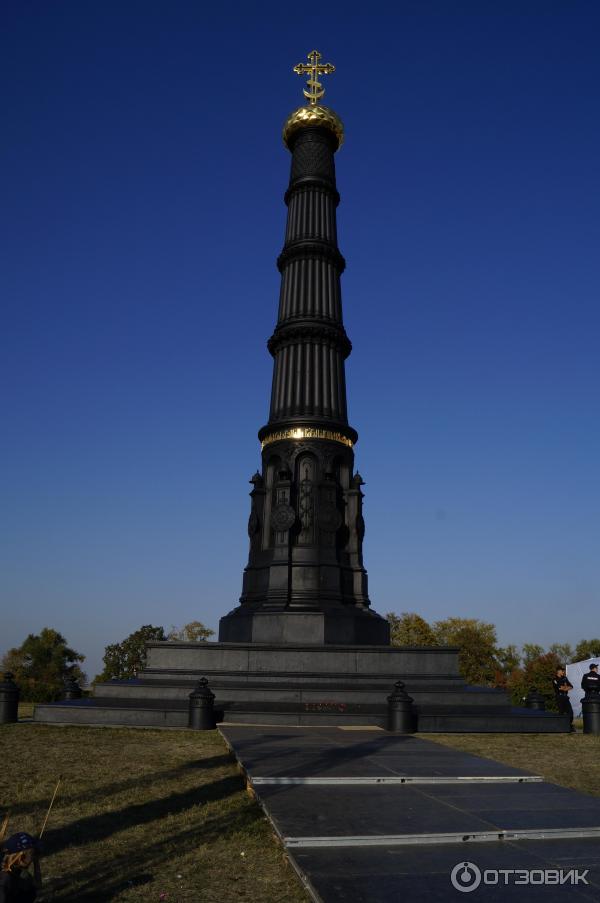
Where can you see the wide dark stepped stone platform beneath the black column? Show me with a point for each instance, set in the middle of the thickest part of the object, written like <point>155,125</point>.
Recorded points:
<point>301,685</point>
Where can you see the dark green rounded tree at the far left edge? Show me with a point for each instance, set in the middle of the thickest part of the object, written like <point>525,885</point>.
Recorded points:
<point>40,665</point>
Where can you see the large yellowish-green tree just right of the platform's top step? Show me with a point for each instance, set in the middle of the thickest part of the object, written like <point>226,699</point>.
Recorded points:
<point>477,645</point>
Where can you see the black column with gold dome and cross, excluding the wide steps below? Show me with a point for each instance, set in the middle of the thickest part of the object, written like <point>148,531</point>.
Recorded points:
<point>305,581</point>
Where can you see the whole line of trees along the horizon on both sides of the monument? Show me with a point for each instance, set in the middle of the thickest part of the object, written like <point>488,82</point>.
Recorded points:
<point>43,662</point>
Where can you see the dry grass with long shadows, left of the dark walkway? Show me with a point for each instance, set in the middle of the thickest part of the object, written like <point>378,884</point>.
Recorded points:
<point>141,813</point>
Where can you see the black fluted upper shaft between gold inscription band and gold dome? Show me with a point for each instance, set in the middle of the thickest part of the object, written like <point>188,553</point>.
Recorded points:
<point>309,344</point>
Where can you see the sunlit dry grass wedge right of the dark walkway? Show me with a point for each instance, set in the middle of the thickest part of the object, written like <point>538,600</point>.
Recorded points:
<point>572,760</point>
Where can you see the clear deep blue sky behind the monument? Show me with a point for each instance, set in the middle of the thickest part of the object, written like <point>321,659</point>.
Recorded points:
<point>141,215</point>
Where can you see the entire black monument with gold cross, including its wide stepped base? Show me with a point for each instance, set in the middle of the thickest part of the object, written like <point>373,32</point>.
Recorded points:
<point>304,646</point>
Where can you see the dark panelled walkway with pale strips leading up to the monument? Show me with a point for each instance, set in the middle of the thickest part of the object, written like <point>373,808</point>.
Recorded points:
<point>371,817</point>
